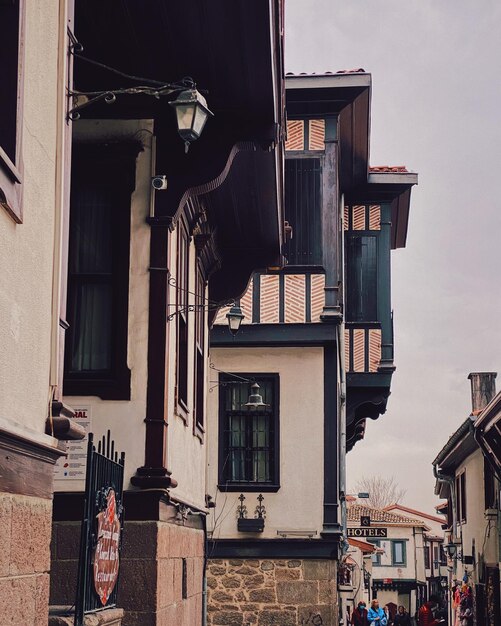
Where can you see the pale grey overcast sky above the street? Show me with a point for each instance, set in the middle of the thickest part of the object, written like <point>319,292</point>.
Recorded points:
<point>436,108</point>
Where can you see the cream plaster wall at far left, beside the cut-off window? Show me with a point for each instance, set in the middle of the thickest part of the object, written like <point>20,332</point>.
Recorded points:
<point>26,250</point>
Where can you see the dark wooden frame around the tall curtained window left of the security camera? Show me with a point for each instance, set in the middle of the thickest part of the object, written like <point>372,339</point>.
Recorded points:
<point>120,163</point>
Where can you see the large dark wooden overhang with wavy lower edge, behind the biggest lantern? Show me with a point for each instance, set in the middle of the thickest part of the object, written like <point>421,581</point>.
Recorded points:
<point>233,49</point>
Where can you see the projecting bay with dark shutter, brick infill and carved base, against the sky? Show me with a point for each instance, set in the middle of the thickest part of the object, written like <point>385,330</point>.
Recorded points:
<point>368,388</point>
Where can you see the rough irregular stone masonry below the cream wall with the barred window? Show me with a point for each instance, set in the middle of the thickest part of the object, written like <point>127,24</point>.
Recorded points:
<point>260,592</point>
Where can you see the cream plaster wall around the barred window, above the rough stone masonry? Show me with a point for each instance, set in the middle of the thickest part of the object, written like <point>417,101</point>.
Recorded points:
<point>298,503</point>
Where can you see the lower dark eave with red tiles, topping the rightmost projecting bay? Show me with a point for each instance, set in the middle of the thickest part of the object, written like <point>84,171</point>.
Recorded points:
<point>394,188</point>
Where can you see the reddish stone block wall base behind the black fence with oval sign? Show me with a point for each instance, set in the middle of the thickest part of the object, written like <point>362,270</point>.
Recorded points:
<point>161,572</point>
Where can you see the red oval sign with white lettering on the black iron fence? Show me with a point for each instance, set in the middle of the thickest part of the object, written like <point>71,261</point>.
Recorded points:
<point>106,560</point>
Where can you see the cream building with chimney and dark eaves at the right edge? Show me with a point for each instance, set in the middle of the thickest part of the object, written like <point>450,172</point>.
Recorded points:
<point>467,475</point>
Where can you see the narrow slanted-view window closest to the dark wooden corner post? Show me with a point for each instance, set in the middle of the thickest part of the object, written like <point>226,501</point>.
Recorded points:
<point>182,302</point>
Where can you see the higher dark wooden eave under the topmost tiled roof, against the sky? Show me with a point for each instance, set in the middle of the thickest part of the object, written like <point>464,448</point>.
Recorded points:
<point>347,95</point>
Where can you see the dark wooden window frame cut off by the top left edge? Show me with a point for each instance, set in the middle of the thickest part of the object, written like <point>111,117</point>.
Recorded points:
<point>11,167</point>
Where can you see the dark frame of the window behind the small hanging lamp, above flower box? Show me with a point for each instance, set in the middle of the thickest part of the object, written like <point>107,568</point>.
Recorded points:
<point>224,485</point>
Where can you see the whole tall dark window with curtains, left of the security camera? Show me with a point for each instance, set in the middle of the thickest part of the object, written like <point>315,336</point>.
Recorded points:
<point>103,178</point>
